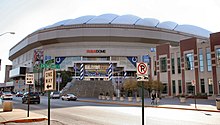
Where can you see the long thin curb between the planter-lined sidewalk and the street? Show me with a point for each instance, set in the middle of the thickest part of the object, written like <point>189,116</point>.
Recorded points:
<point>126,104</point>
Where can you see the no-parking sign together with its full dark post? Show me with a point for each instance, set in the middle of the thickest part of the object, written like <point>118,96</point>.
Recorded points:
<point>142,75</point>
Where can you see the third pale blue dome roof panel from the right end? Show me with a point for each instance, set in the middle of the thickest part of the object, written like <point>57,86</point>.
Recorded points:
<point>148,22</point>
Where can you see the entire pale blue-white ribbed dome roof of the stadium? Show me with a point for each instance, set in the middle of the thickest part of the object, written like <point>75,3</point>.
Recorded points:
<point>132,20</point>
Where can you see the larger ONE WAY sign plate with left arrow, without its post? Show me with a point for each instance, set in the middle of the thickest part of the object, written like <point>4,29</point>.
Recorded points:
<point>50,80</point>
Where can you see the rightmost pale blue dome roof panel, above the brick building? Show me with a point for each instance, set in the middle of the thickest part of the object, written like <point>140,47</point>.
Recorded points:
<point>193,30</point>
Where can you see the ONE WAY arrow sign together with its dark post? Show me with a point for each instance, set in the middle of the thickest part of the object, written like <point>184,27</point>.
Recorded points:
<point>50,84</point>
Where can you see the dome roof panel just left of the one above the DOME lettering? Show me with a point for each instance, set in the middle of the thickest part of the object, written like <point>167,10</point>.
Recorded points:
<point>80,20</point>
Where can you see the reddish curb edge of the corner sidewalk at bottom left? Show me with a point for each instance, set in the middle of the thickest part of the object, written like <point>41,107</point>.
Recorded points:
<point>25,120</point>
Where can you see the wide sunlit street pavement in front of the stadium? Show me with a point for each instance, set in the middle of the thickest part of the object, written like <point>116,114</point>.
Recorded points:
<point>84,113</point>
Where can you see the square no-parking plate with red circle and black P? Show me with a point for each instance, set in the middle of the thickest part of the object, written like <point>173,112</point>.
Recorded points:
<point>142,69</point>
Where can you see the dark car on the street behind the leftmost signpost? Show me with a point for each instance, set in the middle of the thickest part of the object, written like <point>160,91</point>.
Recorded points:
<point>34,97</point>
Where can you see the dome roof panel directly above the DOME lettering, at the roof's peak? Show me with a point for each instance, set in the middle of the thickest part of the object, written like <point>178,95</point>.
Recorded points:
<point>102,19</point>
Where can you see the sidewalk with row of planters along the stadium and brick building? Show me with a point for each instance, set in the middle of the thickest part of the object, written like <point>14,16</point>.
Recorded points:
<point>171,103</point>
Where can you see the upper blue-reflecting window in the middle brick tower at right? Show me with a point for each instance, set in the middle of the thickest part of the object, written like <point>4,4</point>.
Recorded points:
<point>189,61</point>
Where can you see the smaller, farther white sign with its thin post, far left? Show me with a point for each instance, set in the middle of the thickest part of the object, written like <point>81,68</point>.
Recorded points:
<point>29,81</point>
